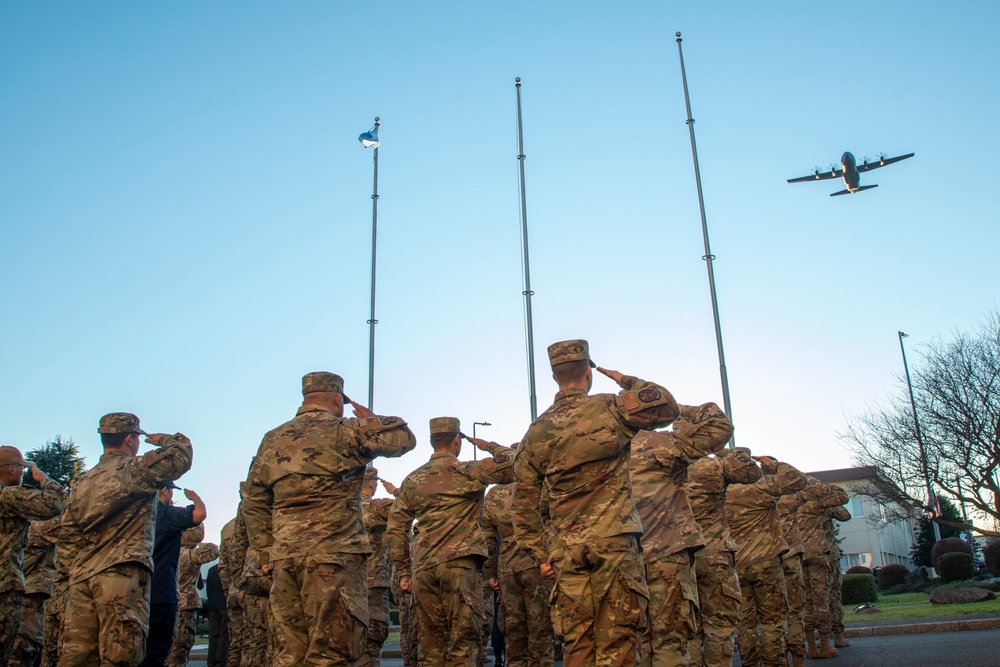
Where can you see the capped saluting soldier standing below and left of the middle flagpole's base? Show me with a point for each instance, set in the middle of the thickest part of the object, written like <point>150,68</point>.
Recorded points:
<point>444,569</point>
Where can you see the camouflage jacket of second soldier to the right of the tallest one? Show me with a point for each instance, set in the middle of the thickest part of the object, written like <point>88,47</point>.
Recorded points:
<point>708,479</point>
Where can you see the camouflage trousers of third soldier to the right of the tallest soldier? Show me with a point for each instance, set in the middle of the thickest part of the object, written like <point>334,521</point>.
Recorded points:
<point>762,623</point>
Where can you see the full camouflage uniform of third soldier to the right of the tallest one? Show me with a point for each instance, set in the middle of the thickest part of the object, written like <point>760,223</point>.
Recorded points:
<point>751,511</point>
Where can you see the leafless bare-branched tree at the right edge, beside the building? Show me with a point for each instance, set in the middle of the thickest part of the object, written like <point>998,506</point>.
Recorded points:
<point>956,387</point>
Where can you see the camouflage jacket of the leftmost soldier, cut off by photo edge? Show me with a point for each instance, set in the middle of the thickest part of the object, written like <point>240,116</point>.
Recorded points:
<point>19,505</point>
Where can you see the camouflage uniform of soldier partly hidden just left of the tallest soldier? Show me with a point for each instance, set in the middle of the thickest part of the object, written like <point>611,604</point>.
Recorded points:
<point>524,598</point>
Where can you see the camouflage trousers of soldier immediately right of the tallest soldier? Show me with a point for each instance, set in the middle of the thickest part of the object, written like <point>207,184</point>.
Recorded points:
<point>673,611</point>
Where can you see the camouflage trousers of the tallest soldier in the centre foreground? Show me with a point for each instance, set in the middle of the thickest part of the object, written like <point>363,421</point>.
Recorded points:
<point>599,602</point>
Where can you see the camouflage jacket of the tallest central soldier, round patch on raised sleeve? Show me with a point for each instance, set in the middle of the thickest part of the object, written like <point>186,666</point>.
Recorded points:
<point>579,449</point>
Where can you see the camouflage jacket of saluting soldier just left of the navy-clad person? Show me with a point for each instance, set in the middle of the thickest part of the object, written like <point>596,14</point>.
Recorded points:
<point>111,513</point>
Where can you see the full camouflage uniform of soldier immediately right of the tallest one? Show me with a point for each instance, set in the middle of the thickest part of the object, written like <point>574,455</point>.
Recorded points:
<point>670,535</point>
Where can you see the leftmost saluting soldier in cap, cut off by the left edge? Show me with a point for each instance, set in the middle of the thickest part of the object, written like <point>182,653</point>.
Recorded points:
<point>19,505</point>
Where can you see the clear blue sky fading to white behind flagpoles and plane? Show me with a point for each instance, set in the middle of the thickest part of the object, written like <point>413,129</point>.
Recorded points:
<point>185,211</point>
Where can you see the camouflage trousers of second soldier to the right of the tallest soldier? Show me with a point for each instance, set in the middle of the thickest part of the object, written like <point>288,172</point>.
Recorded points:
<point>718,611</point>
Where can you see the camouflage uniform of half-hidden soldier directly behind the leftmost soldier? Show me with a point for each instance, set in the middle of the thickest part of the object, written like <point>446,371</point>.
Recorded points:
<point>39,577</point>
